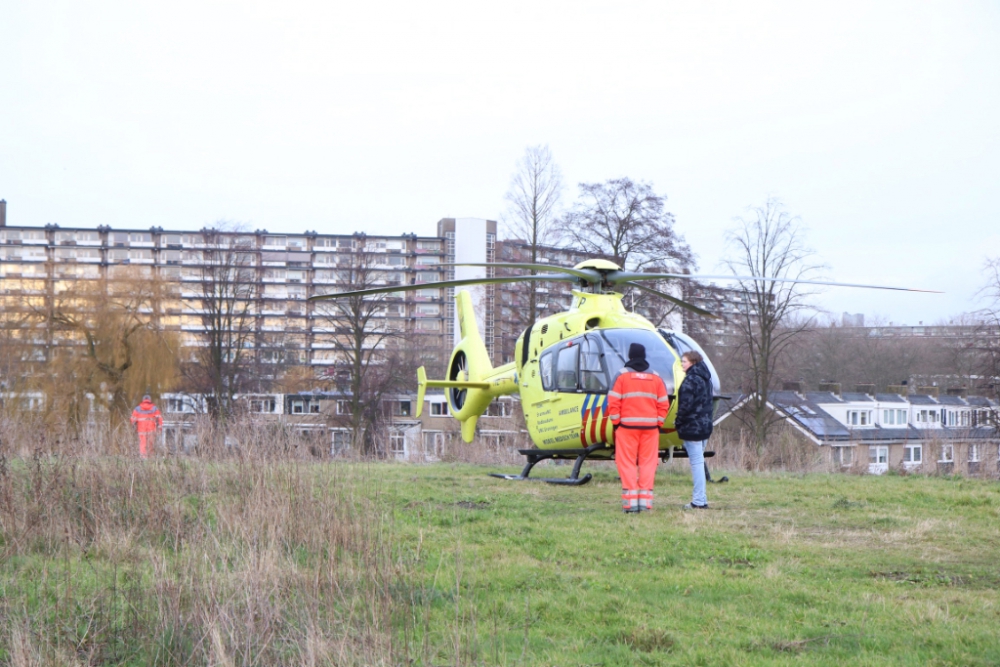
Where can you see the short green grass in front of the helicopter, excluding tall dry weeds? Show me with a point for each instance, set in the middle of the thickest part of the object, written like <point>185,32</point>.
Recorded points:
<point>783,569</point>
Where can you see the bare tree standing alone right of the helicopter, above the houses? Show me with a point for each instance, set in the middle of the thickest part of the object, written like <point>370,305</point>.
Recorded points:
<point>768,243</point>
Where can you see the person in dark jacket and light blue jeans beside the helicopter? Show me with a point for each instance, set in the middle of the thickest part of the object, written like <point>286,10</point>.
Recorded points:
<point>694,421</point>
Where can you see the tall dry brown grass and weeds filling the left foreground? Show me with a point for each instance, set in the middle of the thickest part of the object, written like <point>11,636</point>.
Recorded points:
<point>171,561</point>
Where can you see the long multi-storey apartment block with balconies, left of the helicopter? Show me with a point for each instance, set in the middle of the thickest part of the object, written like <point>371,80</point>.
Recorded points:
<point>41,267</point>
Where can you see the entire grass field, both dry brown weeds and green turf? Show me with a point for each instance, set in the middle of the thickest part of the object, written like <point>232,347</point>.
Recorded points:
<point>302,563</point>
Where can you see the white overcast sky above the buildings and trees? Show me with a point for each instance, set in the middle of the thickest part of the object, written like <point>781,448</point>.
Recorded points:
<point>877,123</point>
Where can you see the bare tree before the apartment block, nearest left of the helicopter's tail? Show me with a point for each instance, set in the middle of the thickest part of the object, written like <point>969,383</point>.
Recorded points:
<point>367,366</point>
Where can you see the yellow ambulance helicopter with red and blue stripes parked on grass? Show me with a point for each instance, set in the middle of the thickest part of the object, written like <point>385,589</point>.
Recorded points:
<point>565,363</point>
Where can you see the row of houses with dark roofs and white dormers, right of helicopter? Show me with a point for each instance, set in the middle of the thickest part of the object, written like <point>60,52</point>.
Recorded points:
<point>920,432</point>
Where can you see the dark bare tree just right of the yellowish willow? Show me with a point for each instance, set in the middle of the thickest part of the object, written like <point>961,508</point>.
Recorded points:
<point>230,288</point>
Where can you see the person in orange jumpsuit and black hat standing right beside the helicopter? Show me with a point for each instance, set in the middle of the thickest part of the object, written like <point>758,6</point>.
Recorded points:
<point>637,406</point>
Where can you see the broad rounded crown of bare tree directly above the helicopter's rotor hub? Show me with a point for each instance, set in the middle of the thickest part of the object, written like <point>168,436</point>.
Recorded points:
<point>626,222</point>
